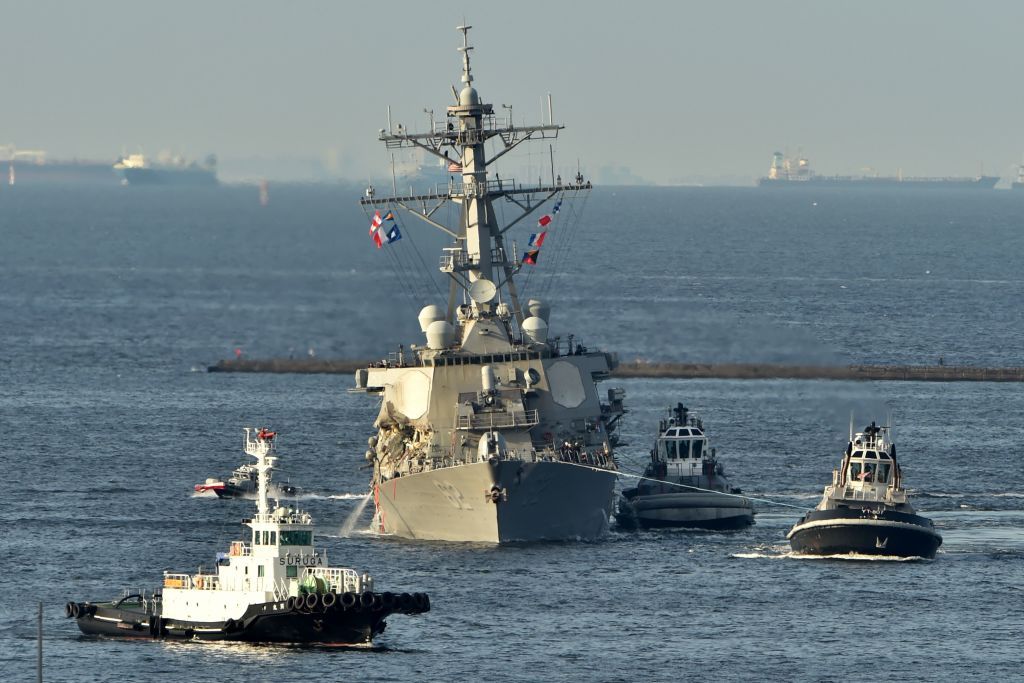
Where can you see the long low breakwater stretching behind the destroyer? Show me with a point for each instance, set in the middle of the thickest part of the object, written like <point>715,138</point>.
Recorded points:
<point>735,371</point>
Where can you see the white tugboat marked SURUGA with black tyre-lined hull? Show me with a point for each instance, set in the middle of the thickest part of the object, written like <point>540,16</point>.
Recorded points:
<point>276,587</point>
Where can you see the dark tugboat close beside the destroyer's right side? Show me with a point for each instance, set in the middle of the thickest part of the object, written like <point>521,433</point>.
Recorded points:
<point>685,485</point>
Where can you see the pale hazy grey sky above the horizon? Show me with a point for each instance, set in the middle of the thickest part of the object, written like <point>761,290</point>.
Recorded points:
<point>673,92</point>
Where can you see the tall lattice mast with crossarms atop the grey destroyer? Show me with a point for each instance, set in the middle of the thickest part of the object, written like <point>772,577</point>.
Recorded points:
<point>480,252</point>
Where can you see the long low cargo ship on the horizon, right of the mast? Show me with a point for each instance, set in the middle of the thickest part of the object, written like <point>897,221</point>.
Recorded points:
<point>796,173</point>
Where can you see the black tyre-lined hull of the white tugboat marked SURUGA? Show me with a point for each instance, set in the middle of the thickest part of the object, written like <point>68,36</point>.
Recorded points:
<point>268,623</point>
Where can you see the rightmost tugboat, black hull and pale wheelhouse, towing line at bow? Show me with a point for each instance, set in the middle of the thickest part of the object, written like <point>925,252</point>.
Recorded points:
<point>866,510</point>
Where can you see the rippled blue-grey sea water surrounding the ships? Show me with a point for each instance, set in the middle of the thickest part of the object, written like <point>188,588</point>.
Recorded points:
<point>113,303</point>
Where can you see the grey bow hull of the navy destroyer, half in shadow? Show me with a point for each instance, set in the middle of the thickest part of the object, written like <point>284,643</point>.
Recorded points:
<point>543,501</point>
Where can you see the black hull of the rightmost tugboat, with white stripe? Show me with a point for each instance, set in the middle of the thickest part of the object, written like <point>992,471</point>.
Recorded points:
<point>866,536</point>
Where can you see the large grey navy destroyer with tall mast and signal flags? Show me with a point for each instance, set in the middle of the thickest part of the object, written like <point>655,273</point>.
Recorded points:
<point>492,431</point>
